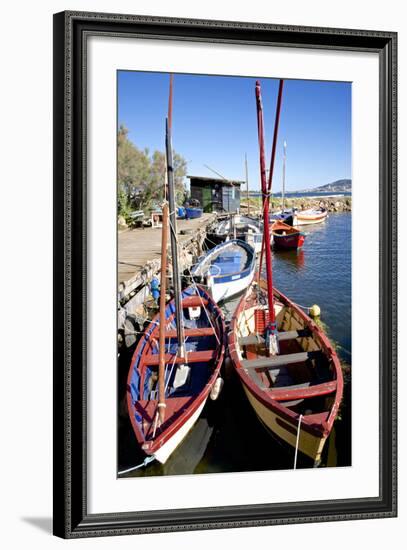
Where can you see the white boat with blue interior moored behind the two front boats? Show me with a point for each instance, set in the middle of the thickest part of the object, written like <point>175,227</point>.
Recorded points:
<point>226,270</point>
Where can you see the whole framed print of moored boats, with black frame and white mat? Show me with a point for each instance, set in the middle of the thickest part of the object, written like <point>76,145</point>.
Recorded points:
<point>224,274</point>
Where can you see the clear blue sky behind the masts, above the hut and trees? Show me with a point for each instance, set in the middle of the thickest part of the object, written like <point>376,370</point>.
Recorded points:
<point>214,123</point>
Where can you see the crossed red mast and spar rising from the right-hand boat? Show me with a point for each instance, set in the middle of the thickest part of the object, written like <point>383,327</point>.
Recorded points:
<point>271,329</point>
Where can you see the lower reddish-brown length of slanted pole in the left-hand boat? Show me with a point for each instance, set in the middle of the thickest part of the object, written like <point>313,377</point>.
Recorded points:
<point>161,342</point>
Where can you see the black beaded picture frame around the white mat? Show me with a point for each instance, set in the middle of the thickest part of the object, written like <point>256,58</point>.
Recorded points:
<point>71,518</point>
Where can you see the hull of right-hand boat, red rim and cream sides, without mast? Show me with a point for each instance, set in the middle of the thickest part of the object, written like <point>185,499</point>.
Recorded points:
<point>296,394</point>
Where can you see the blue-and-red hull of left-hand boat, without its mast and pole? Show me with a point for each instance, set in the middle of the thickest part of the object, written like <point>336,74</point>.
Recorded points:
<point>189,380</point>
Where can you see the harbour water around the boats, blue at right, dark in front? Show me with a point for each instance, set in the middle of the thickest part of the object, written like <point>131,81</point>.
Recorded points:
<point>228,436</point>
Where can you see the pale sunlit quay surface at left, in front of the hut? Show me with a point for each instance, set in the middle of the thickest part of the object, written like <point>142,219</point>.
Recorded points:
<point>139,250</point>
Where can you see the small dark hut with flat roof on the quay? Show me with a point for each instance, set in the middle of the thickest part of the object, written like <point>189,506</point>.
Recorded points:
<point>216,195</point>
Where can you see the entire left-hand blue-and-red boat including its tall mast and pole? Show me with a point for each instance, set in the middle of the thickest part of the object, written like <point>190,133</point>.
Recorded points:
<point>177,361</point>
